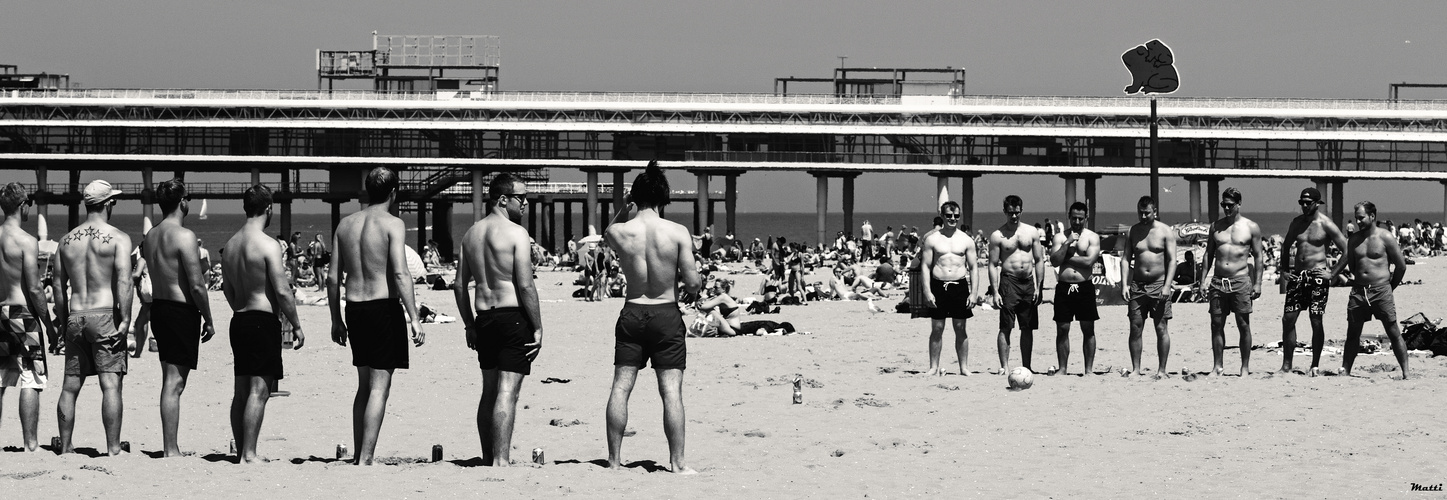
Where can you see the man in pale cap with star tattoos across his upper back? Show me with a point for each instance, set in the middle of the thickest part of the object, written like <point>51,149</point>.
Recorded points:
<point>93,301</point>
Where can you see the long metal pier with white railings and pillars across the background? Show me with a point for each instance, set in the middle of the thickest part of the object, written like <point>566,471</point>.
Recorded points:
<point>459,137</point>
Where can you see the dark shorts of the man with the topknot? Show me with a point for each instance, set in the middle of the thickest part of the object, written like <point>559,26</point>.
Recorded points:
<point>650,333</point>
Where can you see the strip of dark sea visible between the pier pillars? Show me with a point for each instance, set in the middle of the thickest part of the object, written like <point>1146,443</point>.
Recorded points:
<point>216,229</point>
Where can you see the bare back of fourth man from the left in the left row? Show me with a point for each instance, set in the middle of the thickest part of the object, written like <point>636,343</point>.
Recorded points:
<point>248,268</point>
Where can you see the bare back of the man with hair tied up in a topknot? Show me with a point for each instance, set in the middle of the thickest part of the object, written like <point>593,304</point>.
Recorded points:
<point>653,252</point>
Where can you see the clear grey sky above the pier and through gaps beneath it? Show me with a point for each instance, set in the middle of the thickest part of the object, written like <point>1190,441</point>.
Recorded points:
<point>1225,48</point>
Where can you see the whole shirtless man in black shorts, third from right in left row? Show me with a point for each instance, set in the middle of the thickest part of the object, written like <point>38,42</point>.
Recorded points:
<point>371,262</point>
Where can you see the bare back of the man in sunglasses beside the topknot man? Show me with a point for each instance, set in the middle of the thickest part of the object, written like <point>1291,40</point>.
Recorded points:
<point>494,251</point>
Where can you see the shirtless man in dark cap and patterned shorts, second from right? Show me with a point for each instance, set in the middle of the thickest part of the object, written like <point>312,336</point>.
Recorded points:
<point>1309,277</point>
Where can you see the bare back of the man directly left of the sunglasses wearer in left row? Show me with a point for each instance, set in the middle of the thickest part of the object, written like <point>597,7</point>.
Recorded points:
<point>364,254</point>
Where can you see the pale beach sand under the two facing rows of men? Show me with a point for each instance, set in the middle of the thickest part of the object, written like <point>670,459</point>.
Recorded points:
<point>870,426</point>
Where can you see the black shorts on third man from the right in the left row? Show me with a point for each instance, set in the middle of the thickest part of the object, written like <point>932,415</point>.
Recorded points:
<point>377,332</point>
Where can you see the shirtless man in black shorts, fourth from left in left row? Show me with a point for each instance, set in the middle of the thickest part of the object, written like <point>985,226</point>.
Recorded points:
<point>255,287</point>
